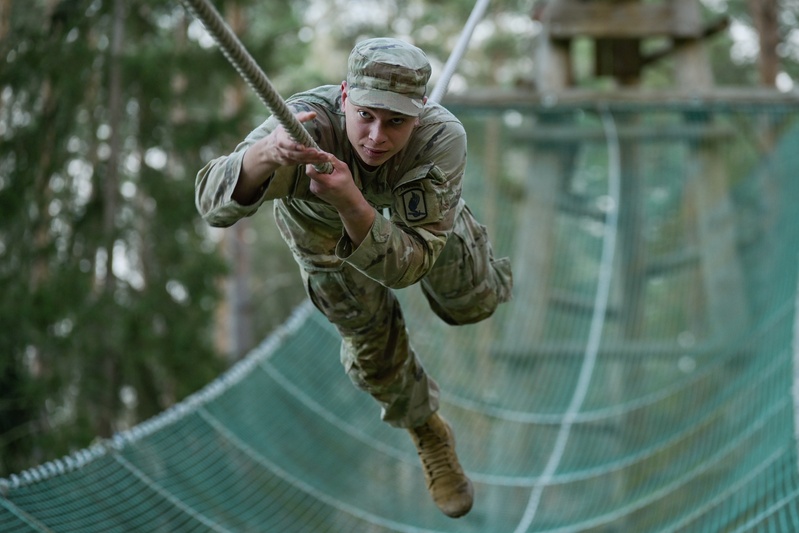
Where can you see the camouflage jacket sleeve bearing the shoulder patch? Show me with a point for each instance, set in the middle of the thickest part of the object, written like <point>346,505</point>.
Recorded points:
<point>400,251</point>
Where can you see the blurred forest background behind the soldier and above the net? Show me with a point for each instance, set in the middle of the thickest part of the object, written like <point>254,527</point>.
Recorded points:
<point>116,300</point>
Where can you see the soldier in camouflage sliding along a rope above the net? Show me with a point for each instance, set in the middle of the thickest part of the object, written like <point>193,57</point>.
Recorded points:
<point>390,149</point>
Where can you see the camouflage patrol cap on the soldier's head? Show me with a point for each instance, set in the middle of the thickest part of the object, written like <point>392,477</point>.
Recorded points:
<point>388,74</point>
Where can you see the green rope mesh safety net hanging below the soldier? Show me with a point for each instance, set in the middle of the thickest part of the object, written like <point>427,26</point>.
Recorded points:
<point>640,380</point>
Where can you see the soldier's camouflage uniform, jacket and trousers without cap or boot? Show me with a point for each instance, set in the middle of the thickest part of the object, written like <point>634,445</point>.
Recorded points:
<point>431,237</point>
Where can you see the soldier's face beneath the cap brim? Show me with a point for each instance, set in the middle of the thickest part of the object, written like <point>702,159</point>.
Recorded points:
<point>376,134</point>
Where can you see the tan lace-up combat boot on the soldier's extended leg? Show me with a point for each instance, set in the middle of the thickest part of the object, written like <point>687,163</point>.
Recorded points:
<point>448,485</point>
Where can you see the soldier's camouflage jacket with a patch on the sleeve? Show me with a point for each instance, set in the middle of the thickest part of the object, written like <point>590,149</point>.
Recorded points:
<point>420,186</point>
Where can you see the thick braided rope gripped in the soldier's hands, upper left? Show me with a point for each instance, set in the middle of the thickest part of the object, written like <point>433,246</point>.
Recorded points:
<point>243,62</point>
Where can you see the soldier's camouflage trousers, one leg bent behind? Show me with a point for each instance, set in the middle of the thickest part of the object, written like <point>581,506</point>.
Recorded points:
<point>465,285</point>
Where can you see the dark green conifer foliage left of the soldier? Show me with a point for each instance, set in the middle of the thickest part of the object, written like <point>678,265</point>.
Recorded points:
<point>109,295</point>
